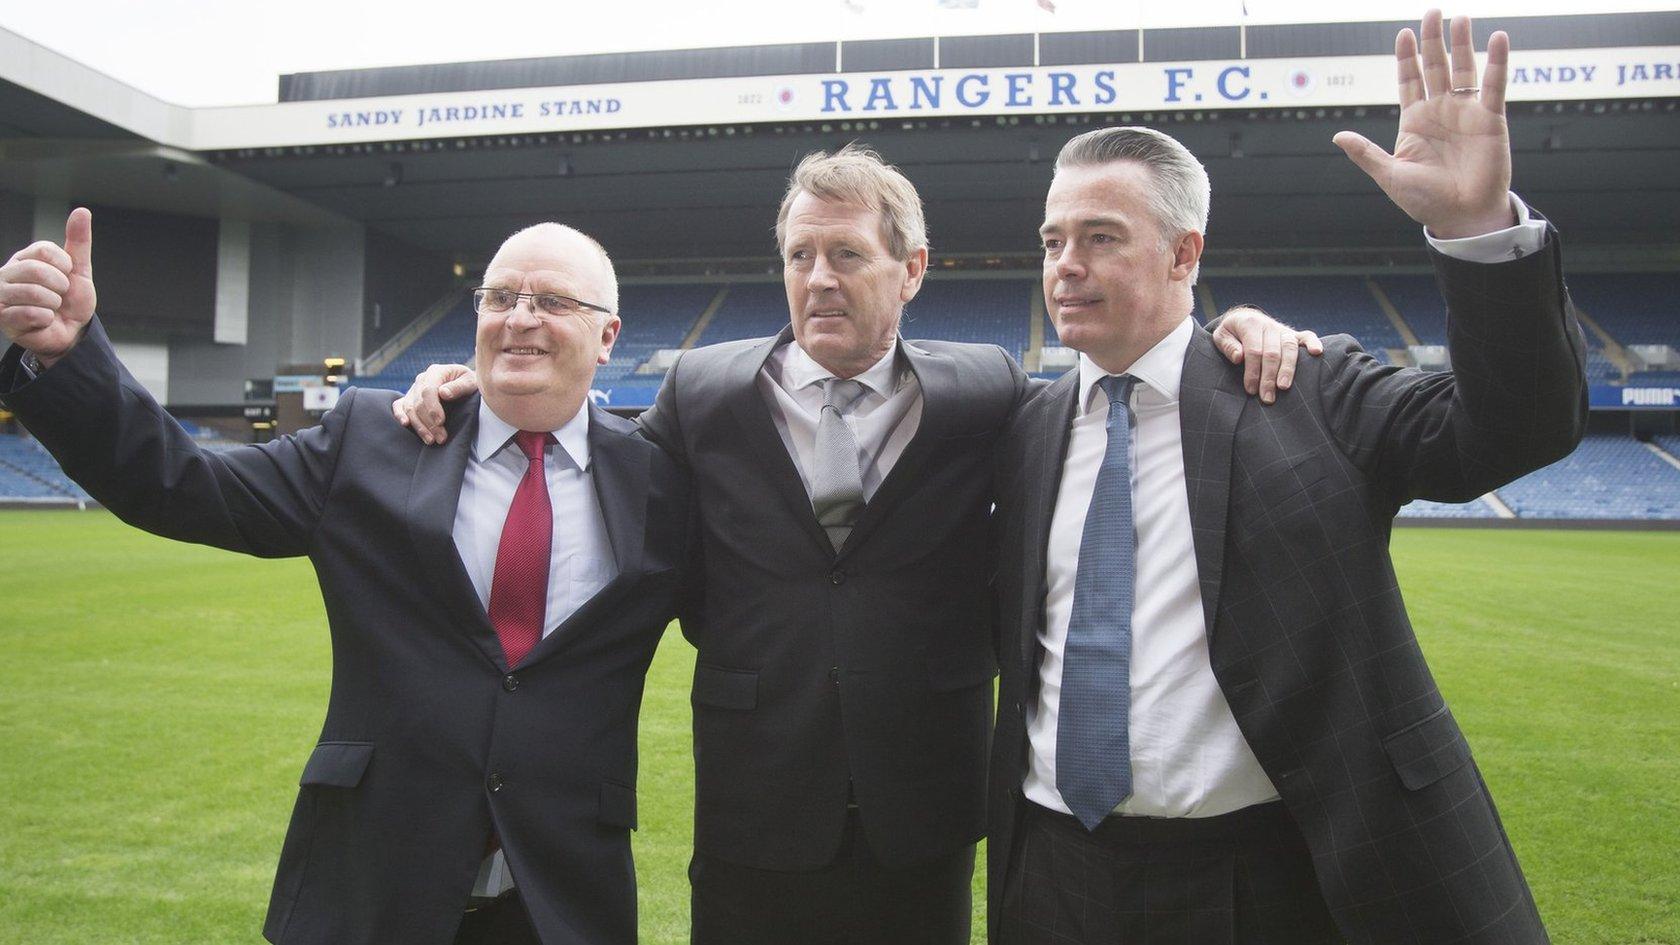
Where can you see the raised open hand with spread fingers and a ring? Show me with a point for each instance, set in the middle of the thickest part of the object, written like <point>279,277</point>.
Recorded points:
<point>1451,169</point>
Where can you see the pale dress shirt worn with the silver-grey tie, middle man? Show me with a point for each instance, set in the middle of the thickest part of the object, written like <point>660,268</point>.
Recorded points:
<point>885,420</point>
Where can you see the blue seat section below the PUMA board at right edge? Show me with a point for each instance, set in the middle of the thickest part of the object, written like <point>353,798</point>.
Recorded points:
<point>1609,477</point>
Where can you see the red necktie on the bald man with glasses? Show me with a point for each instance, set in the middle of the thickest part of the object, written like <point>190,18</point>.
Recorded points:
<point>520,588</point>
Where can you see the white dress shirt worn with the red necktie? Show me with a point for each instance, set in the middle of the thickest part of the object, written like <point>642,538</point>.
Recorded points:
<point>580,556</point>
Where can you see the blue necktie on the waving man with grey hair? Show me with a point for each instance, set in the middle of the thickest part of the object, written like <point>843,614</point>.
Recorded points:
<point>1093,746</point>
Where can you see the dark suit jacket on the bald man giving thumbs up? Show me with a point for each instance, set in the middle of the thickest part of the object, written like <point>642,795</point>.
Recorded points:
<point>429,739</point>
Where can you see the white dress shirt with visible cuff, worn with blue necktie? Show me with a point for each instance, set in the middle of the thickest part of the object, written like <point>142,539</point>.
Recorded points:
<point>1189,756</point>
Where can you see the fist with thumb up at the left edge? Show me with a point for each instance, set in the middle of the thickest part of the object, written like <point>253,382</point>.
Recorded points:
<point>48,292</point>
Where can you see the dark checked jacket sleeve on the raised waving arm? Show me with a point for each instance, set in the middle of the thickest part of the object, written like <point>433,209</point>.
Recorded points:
<point>1515,401</point>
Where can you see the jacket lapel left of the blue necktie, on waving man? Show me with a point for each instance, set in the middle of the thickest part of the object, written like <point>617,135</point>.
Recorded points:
<point>1051,423</point>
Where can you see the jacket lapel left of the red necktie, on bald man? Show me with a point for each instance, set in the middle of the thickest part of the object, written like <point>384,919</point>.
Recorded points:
<point>433,499</point>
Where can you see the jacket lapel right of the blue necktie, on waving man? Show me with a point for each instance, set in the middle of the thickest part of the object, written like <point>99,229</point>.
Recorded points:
<point>1210,403</point>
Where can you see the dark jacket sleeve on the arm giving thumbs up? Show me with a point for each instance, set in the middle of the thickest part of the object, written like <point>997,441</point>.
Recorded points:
<point>134,458</point>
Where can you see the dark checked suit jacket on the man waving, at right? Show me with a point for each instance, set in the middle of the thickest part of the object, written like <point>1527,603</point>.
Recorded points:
<point>1291,509</point>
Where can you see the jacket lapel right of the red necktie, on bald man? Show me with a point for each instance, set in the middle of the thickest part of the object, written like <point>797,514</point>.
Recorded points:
<point>619,470</point>
